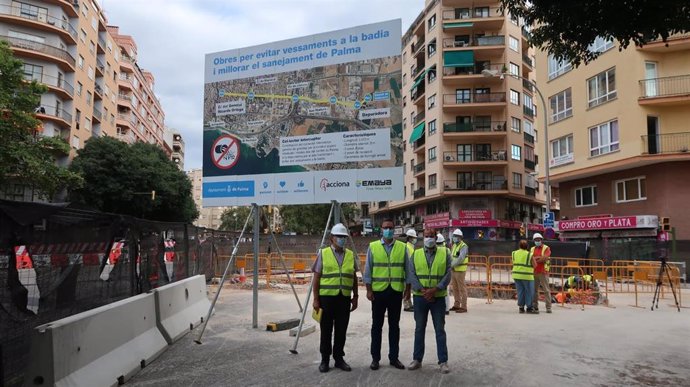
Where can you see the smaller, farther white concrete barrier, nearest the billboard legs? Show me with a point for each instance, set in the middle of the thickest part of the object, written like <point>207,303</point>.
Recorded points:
<point>181,306</point>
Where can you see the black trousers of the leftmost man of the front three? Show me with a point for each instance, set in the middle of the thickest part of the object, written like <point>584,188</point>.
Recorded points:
<point>336,314</point>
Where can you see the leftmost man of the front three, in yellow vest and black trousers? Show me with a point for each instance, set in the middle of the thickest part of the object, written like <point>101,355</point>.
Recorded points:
<point>335,290</point>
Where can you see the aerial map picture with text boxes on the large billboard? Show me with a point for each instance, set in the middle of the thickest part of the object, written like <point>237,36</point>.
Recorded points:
<point>341,116</point>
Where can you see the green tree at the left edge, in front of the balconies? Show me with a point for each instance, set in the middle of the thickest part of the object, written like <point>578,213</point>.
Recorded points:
<point>26,156</point>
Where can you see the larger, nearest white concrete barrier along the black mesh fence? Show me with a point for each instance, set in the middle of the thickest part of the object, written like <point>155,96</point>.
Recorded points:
<point>100,347</point>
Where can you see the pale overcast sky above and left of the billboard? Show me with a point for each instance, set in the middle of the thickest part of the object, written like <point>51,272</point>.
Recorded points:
<point>174,35</point>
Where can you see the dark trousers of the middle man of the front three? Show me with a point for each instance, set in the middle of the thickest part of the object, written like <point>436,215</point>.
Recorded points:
<point>391,301</point>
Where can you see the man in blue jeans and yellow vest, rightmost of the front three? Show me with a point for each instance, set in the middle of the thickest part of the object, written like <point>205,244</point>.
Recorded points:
<point>429,275</point>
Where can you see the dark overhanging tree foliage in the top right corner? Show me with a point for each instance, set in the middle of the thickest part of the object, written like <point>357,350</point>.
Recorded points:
<point>567,28</point>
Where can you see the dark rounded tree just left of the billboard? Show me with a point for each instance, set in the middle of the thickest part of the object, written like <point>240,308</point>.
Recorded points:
<point>120,178</point>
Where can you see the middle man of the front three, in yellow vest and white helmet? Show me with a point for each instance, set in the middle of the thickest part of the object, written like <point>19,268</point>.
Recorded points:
<point>384,277</point>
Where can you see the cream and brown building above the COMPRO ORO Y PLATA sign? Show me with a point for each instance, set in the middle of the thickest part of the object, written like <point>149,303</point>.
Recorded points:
<point>619,139</point>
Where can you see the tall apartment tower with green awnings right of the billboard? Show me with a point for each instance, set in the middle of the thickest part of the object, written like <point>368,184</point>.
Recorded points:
<point>469,157</point>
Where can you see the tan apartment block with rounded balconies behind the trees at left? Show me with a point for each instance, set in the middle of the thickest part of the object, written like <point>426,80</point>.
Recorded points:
<point>68,47</point>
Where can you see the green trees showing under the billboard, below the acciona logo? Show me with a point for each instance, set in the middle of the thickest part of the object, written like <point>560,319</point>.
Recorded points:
<point>312,218</point>
